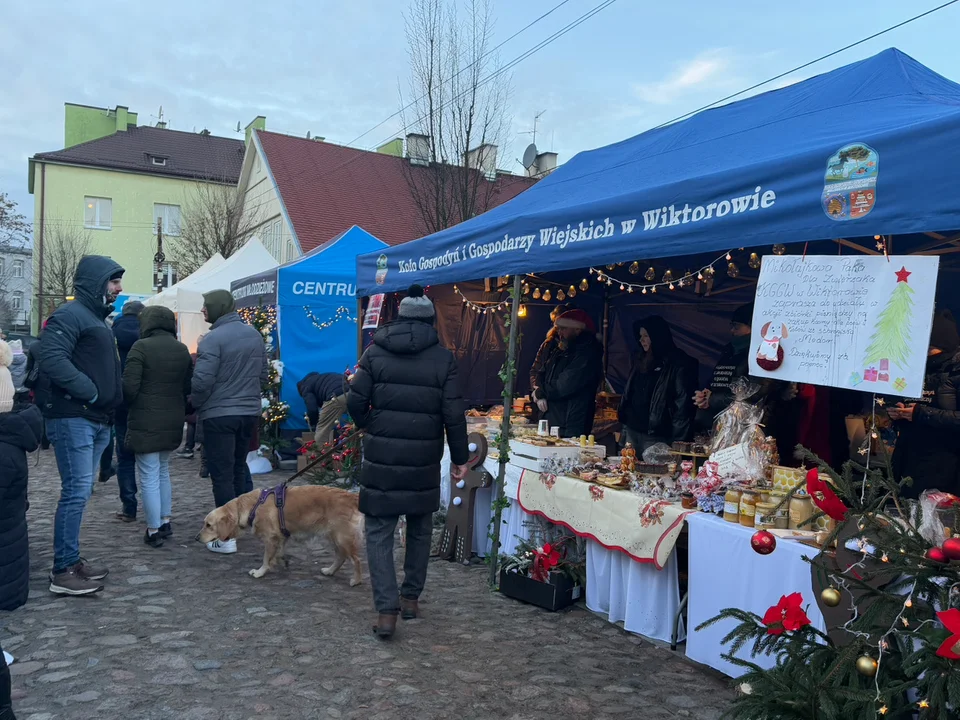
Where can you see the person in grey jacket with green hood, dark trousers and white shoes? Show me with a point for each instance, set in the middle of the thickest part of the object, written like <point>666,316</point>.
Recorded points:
<point>226,390</point>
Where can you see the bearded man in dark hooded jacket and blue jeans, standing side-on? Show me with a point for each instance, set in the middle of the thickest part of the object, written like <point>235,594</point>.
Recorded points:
<point>78,355</point>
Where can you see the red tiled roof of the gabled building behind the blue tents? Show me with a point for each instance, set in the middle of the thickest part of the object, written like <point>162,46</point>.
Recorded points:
<point>328,188</point>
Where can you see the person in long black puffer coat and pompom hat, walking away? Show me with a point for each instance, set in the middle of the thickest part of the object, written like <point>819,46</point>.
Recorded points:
<point>405,395</point>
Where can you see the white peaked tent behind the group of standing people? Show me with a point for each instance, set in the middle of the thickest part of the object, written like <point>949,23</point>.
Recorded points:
<point>186,297</point>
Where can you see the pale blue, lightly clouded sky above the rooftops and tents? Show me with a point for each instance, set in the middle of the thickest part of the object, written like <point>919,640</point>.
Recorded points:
<point>334,68</point>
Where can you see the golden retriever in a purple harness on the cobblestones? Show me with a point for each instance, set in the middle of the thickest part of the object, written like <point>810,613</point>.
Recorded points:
<point>307,510</point>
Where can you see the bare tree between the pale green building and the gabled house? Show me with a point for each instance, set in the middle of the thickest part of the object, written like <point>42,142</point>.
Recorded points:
<point>212,221</point>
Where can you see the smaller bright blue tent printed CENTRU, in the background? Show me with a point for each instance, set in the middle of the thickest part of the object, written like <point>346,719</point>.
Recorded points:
<point>317,309</point>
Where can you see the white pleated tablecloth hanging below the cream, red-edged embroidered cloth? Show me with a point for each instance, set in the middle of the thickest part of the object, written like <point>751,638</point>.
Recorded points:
<point>644,599</point>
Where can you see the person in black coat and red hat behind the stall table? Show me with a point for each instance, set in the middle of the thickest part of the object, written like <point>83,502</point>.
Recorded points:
<point>566,386</point>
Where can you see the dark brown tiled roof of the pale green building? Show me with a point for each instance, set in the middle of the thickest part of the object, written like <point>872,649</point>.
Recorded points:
<point>187,155</point>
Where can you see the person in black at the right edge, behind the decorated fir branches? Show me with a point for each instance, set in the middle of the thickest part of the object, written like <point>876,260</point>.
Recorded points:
<point>929,430</point>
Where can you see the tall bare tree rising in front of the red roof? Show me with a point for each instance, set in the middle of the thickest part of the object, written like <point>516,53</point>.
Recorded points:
<point>459,107</point>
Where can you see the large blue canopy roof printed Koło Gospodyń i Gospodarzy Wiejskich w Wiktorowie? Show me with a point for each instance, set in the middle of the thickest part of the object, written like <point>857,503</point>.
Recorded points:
<point>869,148</point>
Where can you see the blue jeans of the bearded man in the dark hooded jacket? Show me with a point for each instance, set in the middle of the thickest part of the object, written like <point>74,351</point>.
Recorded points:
<point>78,444</point>
